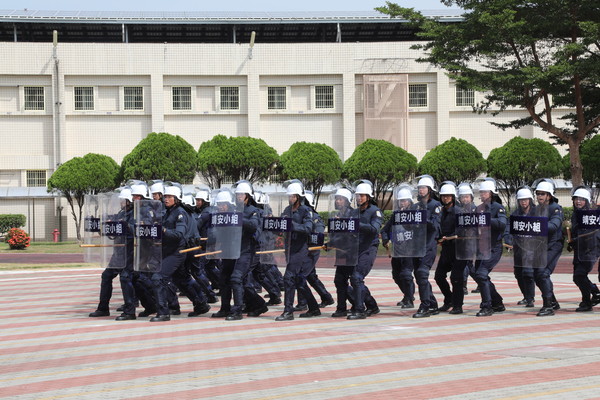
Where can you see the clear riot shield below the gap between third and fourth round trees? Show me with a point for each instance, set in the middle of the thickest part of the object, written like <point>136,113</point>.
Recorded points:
<point>274,235</point>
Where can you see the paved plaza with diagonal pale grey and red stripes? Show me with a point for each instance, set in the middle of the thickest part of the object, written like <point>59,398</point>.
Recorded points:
<point>50,349</point>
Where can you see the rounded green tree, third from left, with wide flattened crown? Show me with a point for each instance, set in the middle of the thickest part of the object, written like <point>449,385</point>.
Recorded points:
<point>229,159</point>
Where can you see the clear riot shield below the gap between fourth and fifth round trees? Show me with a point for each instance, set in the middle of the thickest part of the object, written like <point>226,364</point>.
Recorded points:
<point>343,229</point>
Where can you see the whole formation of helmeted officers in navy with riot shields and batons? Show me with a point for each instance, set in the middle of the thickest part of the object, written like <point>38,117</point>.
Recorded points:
<point>230,242</point>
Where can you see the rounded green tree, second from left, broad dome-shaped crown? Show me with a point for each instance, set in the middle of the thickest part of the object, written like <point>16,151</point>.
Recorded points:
<point>161,156</point>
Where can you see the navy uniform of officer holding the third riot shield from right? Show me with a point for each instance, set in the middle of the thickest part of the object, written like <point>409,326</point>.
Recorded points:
<point>489,295</point>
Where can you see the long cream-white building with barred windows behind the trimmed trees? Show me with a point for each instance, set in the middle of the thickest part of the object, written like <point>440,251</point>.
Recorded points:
<point>111,78</point>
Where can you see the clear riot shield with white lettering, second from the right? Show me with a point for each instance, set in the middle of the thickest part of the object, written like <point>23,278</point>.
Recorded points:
<point>530,240</point>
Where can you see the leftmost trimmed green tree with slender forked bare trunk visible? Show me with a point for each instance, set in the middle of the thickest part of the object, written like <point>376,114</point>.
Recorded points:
<point>90,174</point>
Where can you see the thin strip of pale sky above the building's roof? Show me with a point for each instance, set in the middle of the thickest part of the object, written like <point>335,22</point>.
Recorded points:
<point>205,5</point>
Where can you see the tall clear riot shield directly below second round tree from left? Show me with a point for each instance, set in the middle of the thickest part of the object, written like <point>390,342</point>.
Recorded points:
<point>148,216</point>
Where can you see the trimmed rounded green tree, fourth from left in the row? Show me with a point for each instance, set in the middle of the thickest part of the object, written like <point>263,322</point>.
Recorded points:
<point>315,164</point>
